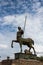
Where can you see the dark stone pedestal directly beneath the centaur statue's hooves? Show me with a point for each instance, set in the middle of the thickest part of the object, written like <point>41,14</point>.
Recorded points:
<point>24,56</point>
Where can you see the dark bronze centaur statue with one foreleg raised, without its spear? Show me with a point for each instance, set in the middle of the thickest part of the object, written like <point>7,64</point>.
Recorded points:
<point>23,41</point>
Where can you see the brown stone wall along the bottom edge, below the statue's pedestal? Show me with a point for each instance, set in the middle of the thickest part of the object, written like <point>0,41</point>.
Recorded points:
<point>26,62</point>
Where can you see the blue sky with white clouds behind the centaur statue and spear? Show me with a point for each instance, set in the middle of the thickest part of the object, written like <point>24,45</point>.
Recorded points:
<point>12,15</point>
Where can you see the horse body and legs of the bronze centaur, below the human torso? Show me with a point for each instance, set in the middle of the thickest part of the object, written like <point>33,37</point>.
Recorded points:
<point>25,41</point>
